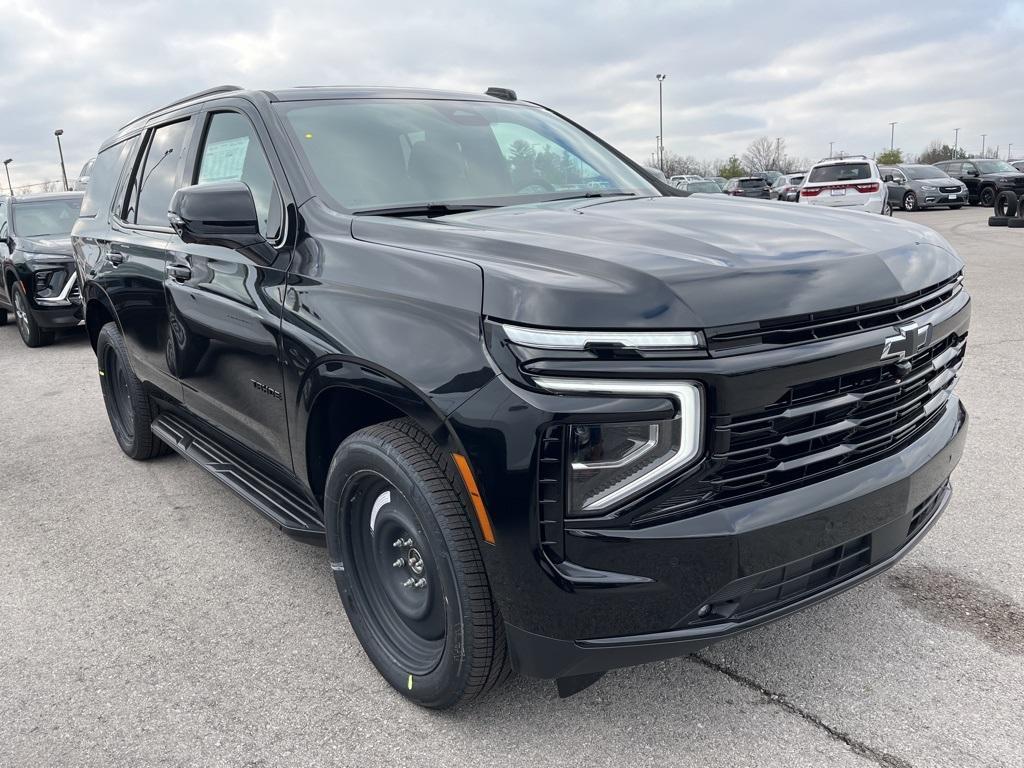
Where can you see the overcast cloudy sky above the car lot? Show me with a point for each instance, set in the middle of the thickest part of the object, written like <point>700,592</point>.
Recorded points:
<point>813,73</point>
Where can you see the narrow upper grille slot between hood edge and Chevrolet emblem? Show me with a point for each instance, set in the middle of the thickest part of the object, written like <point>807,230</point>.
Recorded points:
<point>833,323</point>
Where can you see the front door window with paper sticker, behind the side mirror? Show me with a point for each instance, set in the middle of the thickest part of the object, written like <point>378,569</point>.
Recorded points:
<point>232,152</point>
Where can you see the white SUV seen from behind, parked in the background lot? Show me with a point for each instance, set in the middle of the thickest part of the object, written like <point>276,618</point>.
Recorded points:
<point>852,183</point>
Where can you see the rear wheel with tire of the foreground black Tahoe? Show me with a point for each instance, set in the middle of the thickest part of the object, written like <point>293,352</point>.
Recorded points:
<point>129,407</point>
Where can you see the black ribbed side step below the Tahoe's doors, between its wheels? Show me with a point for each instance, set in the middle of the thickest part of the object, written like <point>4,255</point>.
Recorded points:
<point>289,510</point>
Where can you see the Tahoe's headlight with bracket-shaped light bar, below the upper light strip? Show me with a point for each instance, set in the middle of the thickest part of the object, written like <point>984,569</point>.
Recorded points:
<point>612,462</point>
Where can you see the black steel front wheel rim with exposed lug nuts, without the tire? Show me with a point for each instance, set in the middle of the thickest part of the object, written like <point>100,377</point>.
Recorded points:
<point>394,575</point>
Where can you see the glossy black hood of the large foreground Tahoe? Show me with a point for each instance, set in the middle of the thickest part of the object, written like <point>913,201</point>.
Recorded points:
<point>699,262</point>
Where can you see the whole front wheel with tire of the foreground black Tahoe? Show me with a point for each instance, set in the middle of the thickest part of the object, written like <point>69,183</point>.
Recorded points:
<point>393,492</point>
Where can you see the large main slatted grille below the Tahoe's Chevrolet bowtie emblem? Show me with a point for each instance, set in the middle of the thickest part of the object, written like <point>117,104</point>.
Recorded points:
<point>819,431</point>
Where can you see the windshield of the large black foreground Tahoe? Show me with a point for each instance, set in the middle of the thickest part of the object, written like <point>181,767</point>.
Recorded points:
<point>375,154</point>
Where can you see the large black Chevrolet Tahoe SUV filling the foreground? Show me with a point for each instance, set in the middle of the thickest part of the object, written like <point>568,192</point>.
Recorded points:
<point>546,414</point>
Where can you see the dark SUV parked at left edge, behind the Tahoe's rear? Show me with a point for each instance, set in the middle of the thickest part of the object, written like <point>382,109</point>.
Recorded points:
<point>40,284</point>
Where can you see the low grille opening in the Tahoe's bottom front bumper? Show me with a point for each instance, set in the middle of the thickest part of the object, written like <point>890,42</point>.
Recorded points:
<point>762,593</point>
